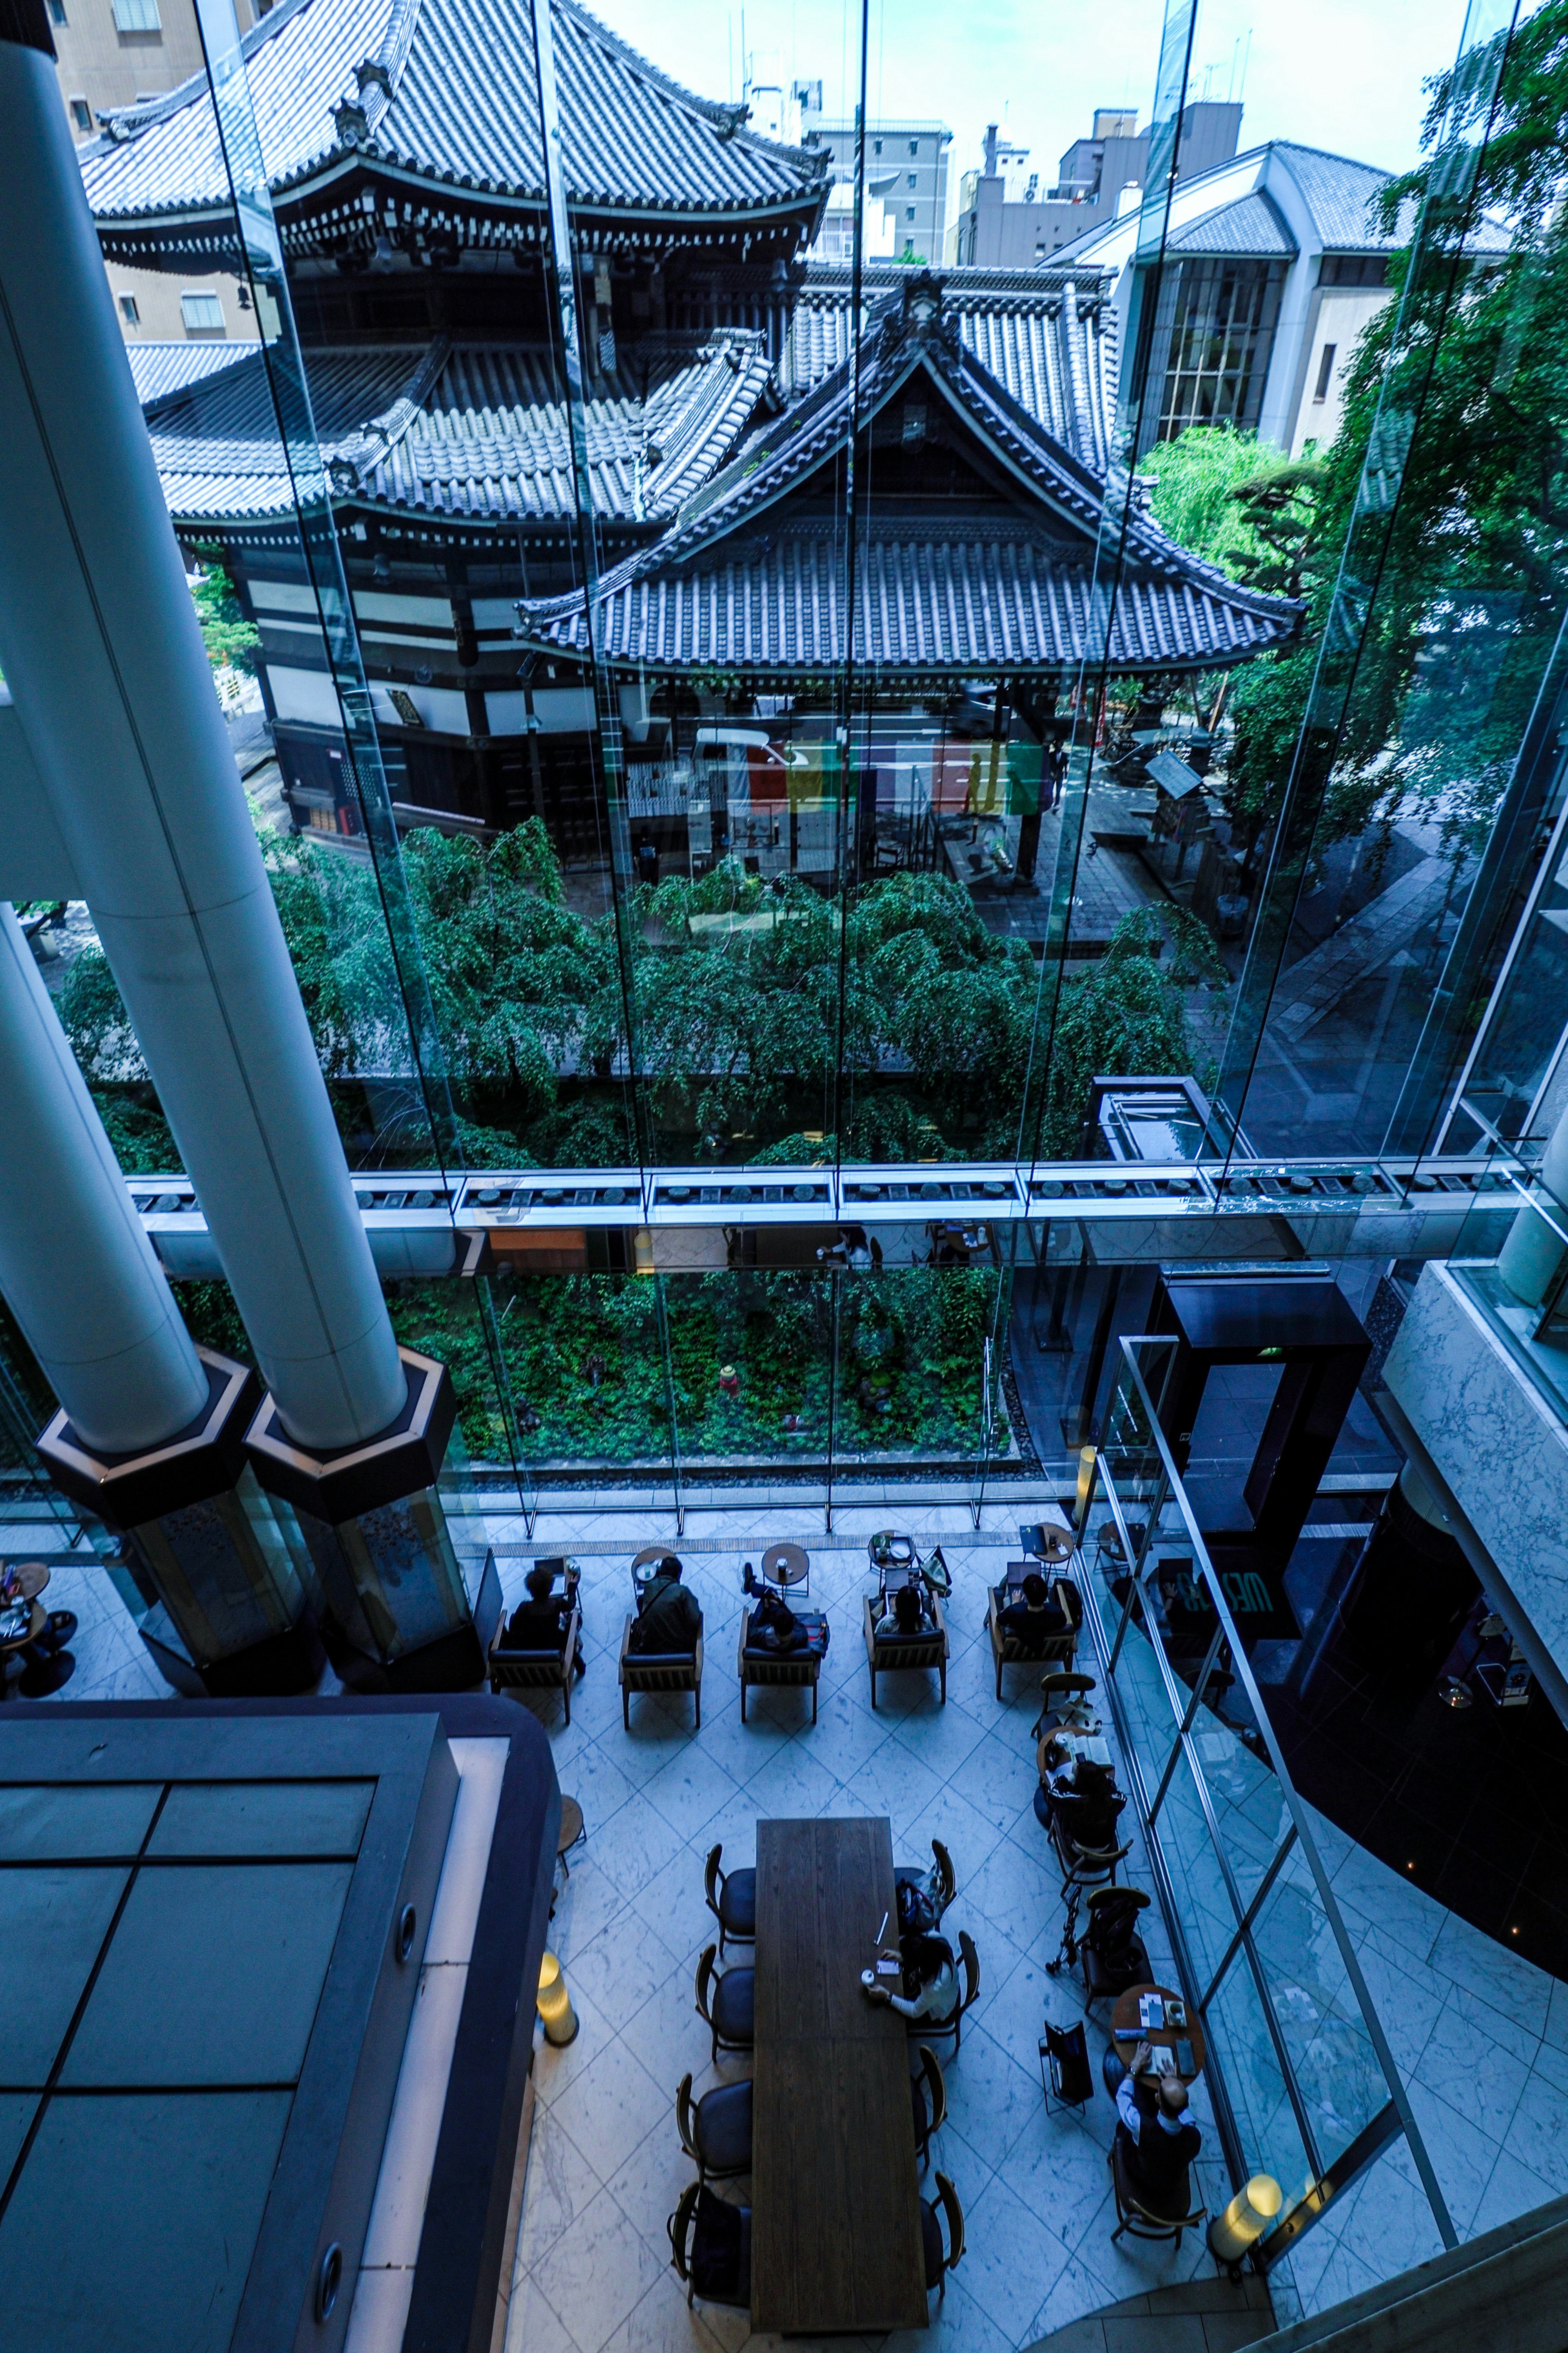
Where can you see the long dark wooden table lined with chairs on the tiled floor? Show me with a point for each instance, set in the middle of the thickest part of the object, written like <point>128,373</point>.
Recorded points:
<point>836,2194</point>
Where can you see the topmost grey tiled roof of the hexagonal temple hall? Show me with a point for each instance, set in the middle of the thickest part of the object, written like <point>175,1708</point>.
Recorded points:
<point>436,105</point>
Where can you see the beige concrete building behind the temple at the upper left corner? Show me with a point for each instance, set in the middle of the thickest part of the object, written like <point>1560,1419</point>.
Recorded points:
<point>112,55</point>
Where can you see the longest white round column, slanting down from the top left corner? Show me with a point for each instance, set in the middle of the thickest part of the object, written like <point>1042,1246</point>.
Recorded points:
<point>105,658</point>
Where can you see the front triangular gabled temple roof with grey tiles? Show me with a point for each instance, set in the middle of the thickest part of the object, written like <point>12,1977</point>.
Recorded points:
<point>751,575</point>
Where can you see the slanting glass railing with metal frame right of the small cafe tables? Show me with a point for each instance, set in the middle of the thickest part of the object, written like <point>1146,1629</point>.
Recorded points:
<point>1301,2072</point>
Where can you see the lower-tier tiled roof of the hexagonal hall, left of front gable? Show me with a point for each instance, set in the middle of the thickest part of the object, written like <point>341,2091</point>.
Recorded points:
<point>450,432</point>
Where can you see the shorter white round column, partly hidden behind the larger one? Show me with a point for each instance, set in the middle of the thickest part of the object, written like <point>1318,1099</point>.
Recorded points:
<point>76,1269</point>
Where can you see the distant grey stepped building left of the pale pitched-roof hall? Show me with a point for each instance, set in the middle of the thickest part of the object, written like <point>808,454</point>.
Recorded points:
<point>1005,222</point>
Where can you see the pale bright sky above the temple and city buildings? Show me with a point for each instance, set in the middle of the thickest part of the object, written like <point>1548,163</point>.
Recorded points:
<point>1334,74</point>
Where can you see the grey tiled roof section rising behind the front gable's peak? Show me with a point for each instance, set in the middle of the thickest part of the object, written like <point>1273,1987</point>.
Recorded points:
<point>1045,335</point>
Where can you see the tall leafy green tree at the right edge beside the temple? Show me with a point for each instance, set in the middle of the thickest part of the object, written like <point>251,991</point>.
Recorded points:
<point>1463,373</point>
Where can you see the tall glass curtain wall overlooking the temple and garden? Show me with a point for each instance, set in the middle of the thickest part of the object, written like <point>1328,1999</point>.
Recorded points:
<point>763,714</point>
